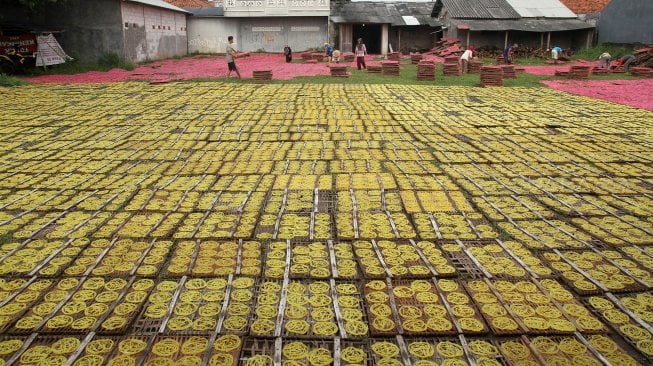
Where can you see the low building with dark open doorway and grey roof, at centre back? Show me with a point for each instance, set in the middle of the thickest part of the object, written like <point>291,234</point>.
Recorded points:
<point>402,26</point>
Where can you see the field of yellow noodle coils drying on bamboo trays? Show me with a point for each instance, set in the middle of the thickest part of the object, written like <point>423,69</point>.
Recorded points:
<point>242,224</point>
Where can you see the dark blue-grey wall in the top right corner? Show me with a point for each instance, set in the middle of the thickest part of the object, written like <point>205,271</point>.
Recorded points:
<point>627,21</point>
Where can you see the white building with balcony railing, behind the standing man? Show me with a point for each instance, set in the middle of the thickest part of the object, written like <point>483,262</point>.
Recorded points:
<point>258,25</point>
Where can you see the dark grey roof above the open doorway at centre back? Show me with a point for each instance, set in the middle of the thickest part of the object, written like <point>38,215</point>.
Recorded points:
<point>379,12</point>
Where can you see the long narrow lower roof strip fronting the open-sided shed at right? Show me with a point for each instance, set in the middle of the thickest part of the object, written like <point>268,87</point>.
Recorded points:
<point>525,25</point>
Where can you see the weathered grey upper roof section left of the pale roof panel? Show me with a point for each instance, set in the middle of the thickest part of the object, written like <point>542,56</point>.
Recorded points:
<point>478,9</point>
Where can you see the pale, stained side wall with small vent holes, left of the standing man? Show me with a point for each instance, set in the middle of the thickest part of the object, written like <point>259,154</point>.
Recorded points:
<point>152,33</point>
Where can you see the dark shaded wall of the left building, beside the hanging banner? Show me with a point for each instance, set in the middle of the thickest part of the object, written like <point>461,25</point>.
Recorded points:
<point>91,28</point>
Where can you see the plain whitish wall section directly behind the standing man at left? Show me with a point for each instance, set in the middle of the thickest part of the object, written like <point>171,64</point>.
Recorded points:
<point>209,35</point>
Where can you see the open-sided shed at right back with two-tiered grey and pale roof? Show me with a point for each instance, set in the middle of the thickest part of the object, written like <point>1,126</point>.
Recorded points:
<point>533,23</point>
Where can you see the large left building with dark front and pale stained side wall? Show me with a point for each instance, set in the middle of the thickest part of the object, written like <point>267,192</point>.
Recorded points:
<point>135,30</point>
